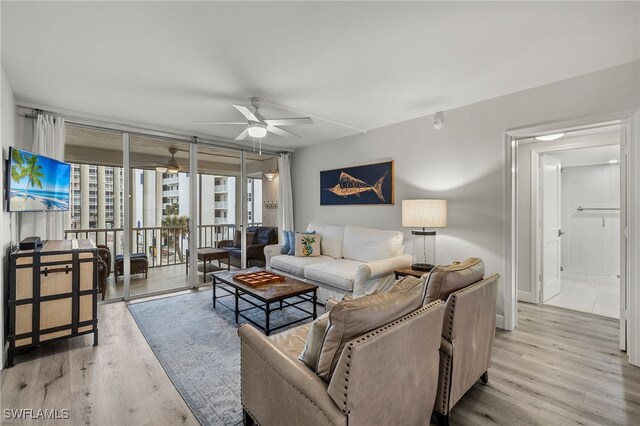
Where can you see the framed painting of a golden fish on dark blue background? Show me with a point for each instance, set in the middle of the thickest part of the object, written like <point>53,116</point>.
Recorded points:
<point>370,184</point>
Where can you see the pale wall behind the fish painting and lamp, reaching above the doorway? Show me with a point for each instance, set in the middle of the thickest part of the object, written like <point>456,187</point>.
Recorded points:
<point>463,163</point>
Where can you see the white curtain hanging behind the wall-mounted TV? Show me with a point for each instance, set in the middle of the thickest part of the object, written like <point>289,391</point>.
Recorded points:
<point>48,140</point>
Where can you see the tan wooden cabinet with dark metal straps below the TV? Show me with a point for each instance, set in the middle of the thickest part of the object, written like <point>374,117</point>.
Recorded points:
<point>53,293</point>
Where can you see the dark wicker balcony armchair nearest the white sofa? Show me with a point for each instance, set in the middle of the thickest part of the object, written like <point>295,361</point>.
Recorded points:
<point>262,237</point>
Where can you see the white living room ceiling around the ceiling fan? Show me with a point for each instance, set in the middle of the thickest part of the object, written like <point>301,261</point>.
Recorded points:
<point>365,64</point>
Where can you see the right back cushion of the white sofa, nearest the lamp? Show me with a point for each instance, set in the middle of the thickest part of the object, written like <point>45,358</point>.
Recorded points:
<point>368,244</point>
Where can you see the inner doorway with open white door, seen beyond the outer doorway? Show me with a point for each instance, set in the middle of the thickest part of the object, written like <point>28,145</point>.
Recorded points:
<point>580,213</point>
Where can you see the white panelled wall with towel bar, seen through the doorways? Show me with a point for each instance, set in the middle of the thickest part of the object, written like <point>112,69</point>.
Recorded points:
<point>591,243</point>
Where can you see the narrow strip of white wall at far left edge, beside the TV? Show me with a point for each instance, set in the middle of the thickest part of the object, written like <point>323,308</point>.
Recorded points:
<point>8,124</point>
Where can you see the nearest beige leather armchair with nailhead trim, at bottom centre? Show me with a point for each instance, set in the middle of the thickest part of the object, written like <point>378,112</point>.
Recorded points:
<point>387,375</point>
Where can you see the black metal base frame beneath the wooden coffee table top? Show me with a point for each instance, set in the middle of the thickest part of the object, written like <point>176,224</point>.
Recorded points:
<point>287,301</point>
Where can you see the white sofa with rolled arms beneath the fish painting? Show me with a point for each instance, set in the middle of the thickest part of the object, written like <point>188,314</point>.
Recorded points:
<point>354,260</point>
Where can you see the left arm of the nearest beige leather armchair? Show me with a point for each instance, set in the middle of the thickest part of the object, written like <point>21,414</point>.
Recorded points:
<point>278,389</point>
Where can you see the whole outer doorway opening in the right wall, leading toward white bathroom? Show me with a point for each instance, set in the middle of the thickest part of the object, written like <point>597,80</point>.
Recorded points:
<point>569,185</point>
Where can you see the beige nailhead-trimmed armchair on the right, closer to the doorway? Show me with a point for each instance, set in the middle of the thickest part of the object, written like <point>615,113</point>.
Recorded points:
<point>467,332</point>
